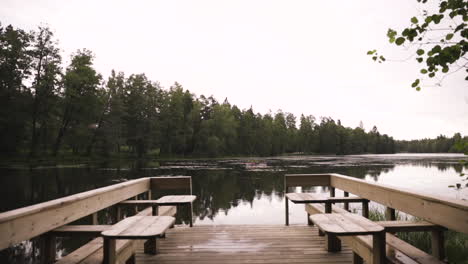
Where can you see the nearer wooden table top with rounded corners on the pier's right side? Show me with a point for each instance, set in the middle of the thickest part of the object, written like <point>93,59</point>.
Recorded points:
<point>346,224</point>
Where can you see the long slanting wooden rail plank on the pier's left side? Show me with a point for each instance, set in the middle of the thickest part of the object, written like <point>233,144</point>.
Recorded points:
<point>27,222</point>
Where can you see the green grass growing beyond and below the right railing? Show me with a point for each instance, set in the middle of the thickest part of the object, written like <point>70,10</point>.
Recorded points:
<point>456,244</point>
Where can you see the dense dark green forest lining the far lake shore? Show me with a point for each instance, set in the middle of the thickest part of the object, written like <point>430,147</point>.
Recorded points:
<point>47,110</point>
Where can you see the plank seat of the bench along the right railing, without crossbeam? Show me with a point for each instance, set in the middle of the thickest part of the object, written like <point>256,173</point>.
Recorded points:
<point>362,245</point>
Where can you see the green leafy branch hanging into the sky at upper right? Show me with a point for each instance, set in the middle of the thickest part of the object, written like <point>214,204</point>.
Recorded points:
<point>440,53</point>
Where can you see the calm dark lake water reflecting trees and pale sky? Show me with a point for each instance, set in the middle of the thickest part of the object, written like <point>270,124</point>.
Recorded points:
<point>234,191</point>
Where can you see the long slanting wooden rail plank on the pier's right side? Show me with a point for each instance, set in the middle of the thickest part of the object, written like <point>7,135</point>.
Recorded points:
<point>450,213</point>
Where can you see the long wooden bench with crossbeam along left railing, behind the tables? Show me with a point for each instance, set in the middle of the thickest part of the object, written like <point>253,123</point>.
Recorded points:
<point>92,252</point>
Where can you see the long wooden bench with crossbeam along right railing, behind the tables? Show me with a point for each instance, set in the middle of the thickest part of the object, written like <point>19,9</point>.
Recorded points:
<point>362,245</point>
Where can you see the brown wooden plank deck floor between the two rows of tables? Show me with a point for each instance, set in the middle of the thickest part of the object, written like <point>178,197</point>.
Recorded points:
<point>243,244</point>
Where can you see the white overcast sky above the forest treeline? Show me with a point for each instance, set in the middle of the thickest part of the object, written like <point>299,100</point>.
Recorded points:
<point>299,56</point>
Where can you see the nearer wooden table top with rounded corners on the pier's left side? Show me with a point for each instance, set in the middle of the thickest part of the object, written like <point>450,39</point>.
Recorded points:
<point>140,227</point>
